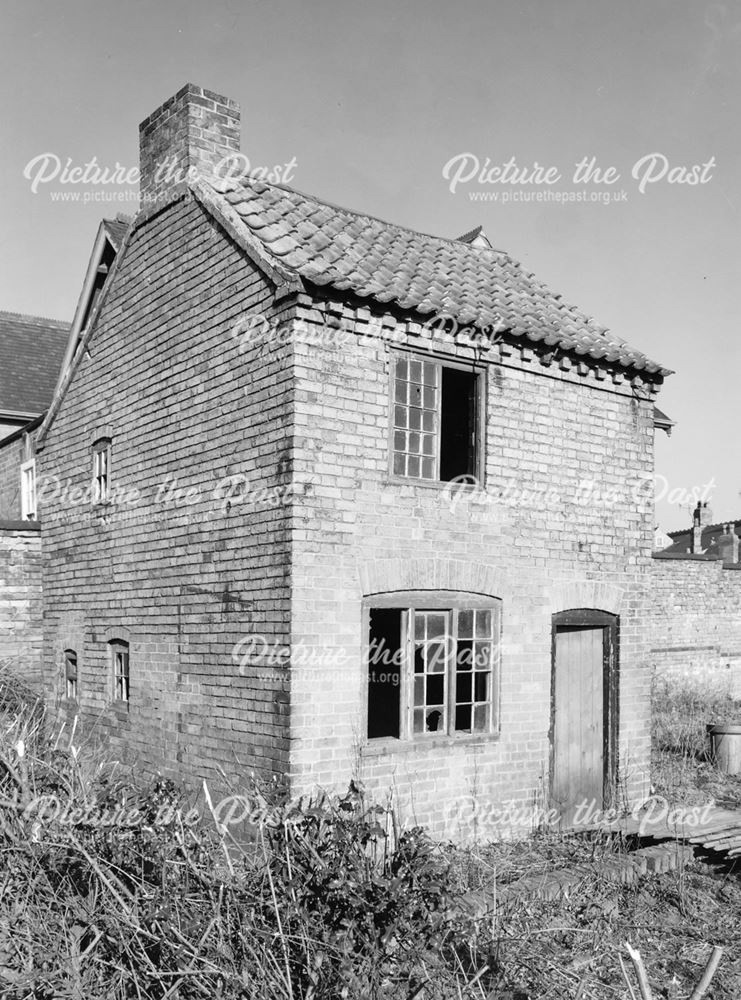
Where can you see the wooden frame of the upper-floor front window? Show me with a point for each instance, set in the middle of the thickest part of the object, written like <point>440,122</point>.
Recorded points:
<point>440,362</point>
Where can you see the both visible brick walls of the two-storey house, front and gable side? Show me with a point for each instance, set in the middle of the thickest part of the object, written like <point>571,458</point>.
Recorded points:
<point>186,585</point>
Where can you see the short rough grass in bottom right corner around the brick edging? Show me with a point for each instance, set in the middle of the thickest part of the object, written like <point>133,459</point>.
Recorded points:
<point>571,947</point>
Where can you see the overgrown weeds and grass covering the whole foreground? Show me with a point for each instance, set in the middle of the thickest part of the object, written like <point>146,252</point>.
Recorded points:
<point>131,896</point>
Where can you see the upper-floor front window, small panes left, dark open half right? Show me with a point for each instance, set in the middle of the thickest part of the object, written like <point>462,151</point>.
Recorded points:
<point>436,426</point>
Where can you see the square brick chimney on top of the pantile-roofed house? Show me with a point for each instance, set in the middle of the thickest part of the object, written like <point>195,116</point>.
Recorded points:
<point>185,138</point>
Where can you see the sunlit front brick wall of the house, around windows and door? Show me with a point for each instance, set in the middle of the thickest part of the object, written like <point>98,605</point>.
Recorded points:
<point>358,533</point>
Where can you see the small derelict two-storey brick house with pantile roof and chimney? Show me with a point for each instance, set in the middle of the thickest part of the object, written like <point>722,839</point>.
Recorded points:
<point>365,503</point>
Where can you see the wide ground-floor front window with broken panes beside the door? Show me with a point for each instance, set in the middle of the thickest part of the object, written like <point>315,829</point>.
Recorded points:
<point>432,666</point>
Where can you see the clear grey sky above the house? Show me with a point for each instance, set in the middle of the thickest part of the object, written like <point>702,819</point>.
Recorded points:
<point>377,101</point>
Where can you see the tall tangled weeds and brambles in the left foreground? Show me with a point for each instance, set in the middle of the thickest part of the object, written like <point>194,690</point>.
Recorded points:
<point>330,899</point>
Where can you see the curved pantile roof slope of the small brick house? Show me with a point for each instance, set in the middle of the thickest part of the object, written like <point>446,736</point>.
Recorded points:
<point>346,250</point>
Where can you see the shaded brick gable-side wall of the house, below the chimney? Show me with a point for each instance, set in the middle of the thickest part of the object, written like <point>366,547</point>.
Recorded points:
<point>181,581</point>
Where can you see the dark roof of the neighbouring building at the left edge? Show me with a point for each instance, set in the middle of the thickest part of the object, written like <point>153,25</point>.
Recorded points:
<point>31,352</point>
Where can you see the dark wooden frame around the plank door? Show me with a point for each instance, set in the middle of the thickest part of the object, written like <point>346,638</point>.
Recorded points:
<point>590,617</point>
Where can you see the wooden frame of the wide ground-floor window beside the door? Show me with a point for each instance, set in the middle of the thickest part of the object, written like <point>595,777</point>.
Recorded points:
<point>452,602</point>
